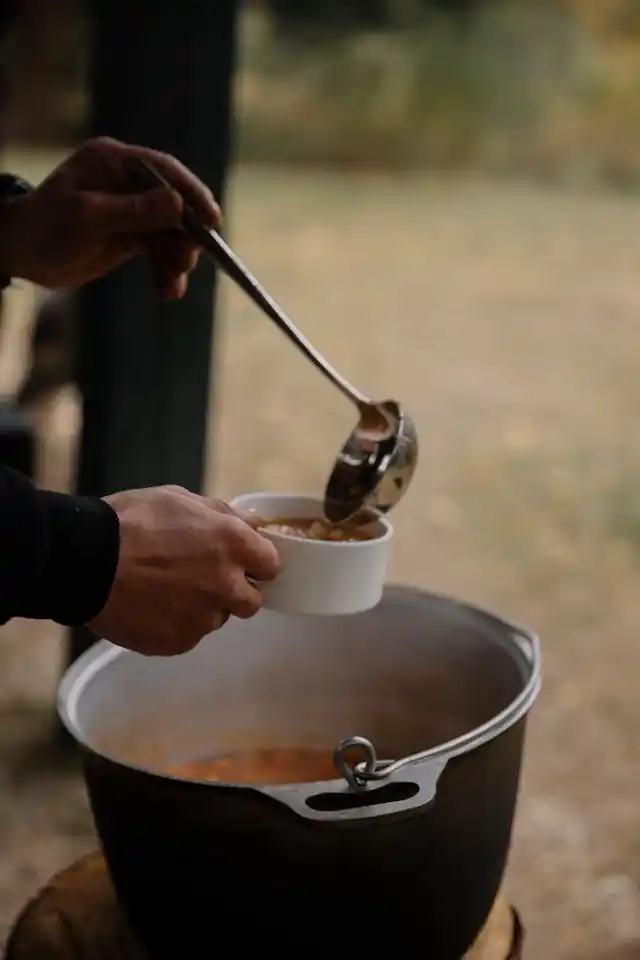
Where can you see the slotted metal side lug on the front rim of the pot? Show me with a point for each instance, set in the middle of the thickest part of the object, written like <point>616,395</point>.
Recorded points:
<point>336,801</point>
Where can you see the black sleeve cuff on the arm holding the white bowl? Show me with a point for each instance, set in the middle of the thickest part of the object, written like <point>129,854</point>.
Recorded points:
<point>58,554</point>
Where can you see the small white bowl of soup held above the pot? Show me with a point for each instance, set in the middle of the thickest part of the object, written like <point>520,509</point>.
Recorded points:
<point>320,577</point>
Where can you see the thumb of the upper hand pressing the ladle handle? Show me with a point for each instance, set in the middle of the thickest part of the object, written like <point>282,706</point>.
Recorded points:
<point>148,212</point>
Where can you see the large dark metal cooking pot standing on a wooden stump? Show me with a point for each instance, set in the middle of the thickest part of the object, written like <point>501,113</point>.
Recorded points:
<point>409,857</point>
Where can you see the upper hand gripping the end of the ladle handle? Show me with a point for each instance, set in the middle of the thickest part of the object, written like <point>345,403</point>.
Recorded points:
<point>90,216</point>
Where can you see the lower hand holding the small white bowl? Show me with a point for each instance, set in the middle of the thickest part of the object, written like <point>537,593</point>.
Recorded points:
<point>183,568</point>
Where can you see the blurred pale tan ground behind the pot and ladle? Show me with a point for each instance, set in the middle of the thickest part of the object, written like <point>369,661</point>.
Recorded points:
<point>505,317</point>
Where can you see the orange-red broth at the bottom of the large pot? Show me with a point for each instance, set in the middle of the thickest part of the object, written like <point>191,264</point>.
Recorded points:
<point>261,767</point>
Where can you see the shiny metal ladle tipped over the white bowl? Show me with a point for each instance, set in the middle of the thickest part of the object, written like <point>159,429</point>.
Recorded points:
<point>376,463</point>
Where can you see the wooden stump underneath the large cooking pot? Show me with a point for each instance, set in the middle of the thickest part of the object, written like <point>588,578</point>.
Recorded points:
<point>77,917</point>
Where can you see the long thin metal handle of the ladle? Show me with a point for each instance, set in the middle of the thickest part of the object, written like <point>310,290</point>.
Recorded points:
<point>222,254</point>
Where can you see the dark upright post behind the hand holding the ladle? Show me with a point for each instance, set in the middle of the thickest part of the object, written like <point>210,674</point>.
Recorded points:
<point>161,76</point>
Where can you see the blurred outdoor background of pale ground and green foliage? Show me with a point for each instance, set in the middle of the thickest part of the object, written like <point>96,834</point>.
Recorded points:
<point>445,195</point>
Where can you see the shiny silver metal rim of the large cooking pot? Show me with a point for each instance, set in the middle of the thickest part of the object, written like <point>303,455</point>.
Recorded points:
<point>80,674</point>
